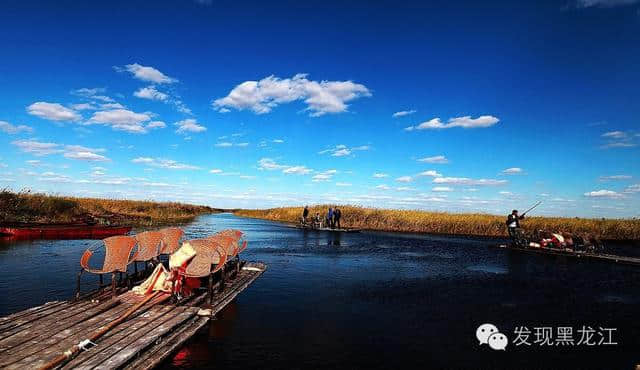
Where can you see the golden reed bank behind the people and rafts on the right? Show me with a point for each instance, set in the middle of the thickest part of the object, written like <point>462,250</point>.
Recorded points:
<point>452,223</point>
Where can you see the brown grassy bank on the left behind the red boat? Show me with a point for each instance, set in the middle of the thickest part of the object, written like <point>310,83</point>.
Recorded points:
<point>34,207</point>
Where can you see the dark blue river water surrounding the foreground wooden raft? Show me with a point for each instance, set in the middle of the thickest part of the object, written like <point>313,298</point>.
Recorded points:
<point>381,300</point>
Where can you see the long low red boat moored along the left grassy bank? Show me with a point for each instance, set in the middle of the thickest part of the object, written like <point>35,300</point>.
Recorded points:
<point>62,231</point>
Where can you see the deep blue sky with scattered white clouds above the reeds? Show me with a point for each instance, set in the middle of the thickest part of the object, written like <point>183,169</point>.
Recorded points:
<point>452,106</point>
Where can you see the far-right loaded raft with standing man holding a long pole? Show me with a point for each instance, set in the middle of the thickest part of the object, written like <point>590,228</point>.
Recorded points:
<point>545,239</point>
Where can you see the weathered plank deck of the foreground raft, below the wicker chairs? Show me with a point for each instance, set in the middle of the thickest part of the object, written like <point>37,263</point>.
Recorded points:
<point>33,337</point>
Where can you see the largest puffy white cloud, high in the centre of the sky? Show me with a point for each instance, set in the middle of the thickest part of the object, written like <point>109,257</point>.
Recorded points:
<point>264,95</point>
